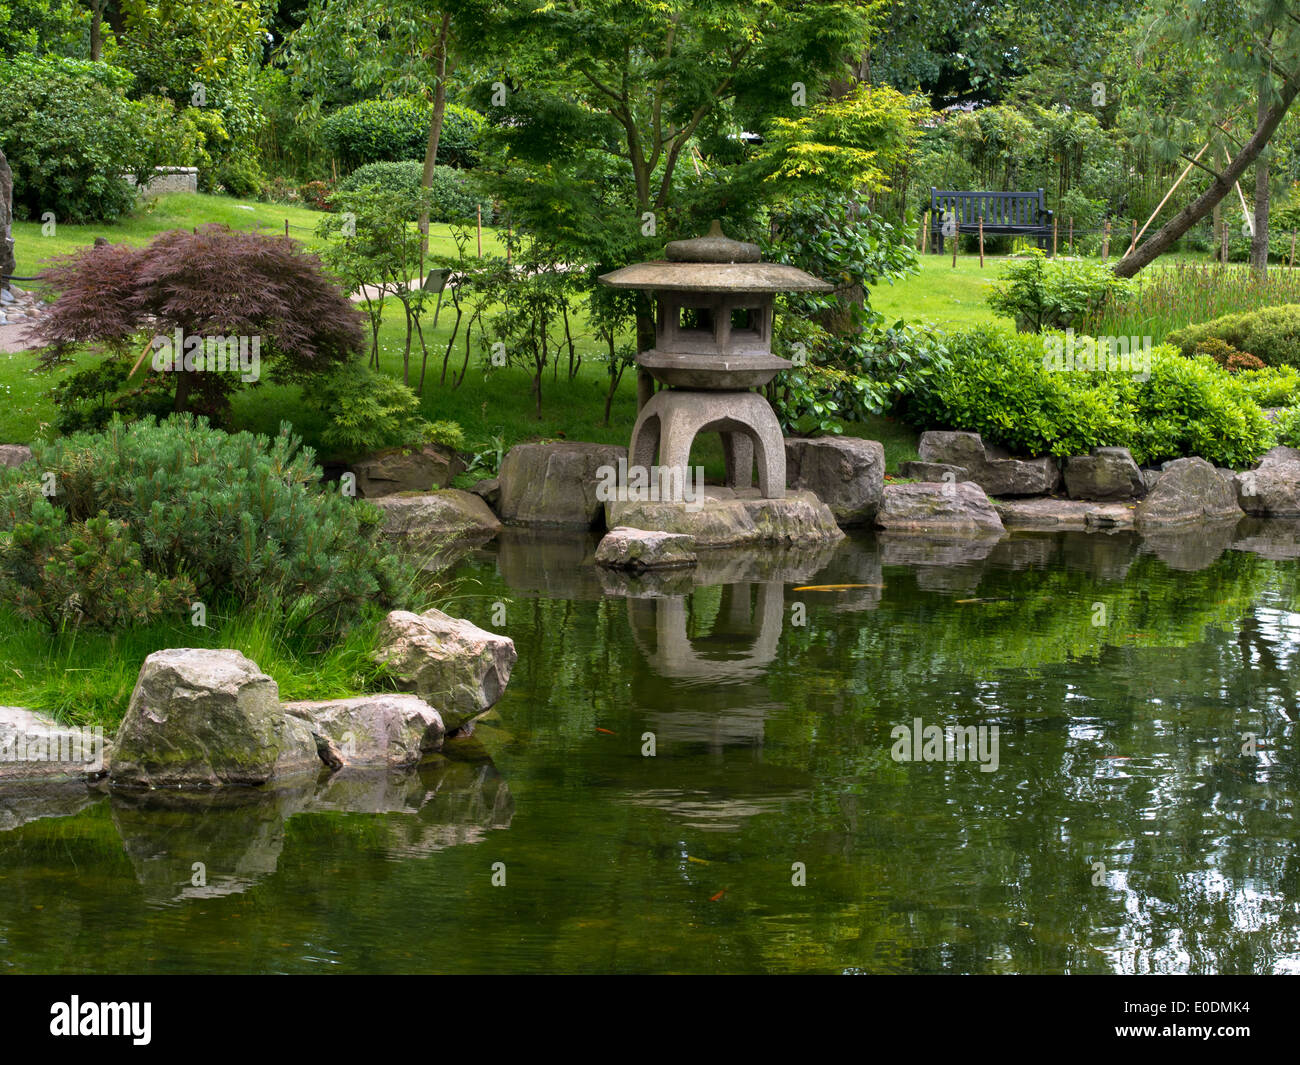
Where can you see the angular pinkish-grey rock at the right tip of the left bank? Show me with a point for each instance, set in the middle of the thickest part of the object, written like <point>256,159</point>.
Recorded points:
<point>452,664</point>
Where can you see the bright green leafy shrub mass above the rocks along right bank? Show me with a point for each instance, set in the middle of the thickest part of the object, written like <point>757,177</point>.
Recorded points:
<point>1000,384</point>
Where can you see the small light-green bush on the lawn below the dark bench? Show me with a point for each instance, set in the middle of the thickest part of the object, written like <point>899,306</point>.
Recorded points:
<point>1041,295</point>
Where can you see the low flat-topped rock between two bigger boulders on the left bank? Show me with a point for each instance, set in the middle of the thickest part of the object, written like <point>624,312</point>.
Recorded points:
<point>384,730</point>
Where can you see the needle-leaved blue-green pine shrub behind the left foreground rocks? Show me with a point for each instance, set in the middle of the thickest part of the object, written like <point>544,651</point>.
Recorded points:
<point>180,512</point>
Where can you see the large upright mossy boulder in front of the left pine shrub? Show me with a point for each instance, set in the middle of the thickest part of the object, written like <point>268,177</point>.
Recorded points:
<point>203,718</point>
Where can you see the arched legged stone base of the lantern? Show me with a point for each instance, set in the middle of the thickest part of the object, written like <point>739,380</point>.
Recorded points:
<point>670,423</point>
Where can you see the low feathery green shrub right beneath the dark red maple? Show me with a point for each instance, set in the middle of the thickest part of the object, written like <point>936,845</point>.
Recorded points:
<point>371,412</point>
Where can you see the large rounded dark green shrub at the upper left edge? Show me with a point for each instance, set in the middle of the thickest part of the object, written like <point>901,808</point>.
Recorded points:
<point>70,135</point>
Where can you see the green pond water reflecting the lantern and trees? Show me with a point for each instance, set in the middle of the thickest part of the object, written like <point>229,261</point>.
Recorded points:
<point>1132,825</point>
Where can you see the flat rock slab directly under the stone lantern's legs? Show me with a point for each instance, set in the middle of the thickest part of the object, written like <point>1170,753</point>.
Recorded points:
<point>727,518</point>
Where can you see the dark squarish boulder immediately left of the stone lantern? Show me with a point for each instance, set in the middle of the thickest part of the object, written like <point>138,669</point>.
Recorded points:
<point>554,484</point>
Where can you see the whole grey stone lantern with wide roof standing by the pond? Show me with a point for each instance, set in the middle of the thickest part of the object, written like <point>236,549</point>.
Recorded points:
<point>713,345</point>
